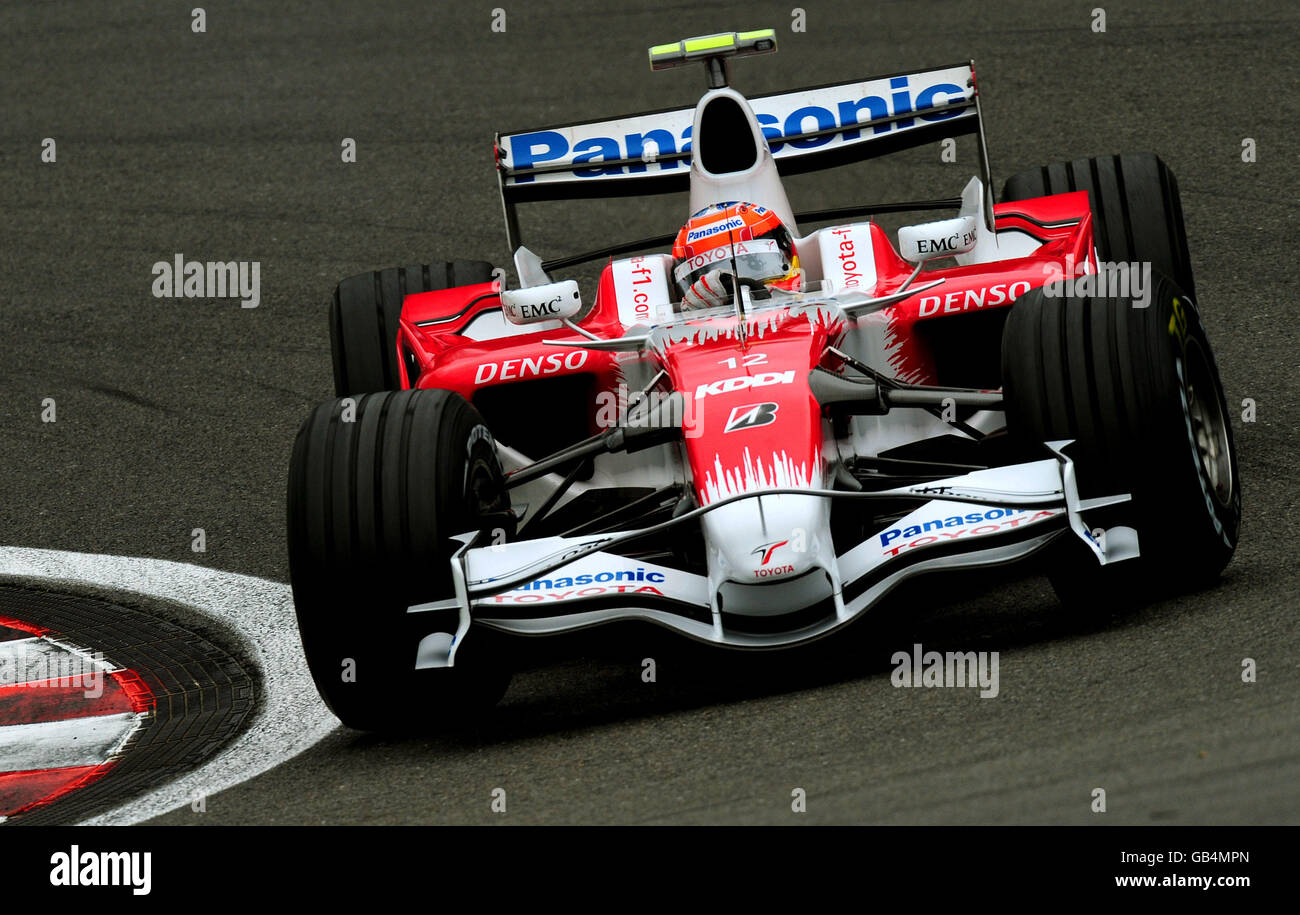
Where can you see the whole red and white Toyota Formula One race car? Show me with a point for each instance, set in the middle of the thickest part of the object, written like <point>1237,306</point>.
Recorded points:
<point>752,440</point>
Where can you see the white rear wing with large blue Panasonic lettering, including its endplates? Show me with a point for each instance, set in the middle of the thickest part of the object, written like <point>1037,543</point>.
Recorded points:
<point>807,129</point>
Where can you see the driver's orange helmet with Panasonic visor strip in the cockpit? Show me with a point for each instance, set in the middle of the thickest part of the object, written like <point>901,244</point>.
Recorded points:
<point>726,238</point>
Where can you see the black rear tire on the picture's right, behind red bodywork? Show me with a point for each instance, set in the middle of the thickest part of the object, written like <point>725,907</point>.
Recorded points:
<point>1137,211</point>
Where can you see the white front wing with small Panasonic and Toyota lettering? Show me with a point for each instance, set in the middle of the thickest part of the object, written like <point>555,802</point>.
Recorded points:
<point>562,584</point>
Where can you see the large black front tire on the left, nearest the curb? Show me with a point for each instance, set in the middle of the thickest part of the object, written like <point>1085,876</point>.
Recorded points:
<point>376,489</point>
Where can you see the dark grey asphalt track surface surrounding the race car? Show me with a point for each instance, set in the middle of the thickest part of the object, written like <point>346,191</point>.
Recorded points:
<point>175,415</point>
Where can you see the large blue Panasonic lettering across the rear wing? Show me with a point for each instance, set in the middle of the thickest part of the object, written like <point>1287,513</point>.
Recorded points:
<point>551,146</point>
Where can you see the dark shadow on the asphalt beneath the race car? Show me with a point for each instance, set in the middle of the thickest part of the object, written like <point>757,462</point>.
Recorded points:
<point>593,679</point>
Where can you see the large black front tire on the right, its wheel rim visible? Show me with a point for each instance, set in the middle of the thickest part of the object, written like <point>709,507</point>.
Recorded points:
<point>1139,393</point>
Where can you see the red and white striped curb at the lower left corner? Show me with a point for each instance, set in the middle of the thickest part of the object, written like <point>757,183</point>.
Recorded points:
<point>67,715</point>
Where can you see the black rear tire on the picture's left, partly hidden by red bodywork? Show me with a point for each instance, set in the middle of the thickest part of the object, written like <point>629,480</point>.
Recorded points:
<point>365,320</point>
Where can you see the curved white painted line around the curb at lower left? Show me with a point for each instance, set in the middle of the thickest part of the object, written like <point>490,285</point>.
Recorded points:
<point>291,717</point>
